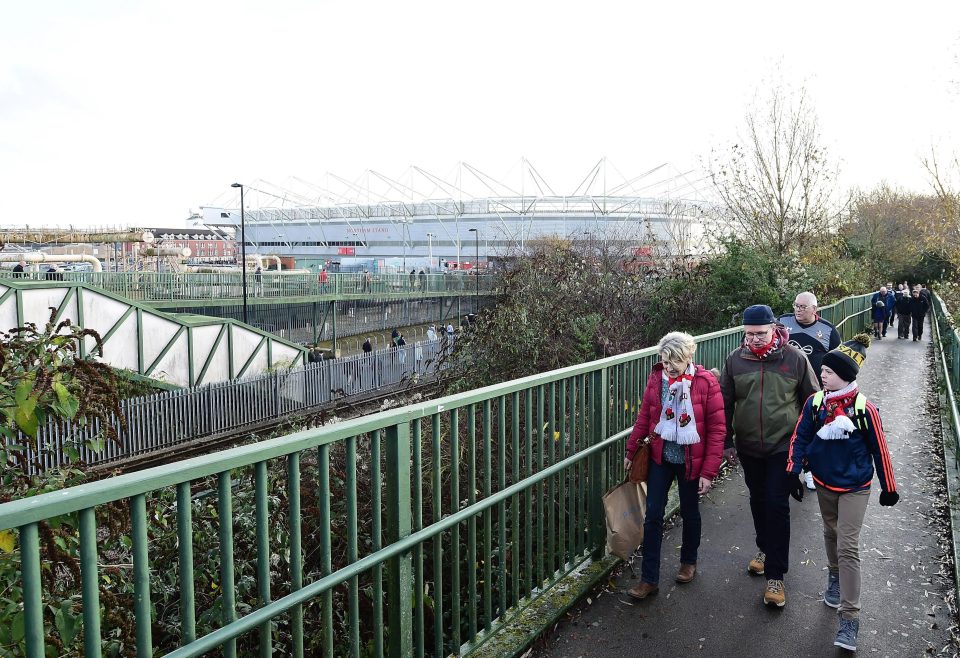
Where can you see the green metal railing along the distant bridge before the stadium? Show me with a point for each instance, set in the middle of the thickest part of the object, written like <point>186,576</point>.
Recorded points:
<point>170,286</point>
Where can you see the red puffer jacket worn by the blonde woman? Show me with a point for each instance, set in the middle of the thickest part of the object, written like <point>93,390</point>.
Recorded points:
<point>702,459</point>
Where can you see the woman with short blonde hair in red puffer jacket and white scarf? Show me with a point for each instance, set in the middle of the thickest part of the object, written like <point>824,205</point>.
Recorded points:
<point>682,413</point>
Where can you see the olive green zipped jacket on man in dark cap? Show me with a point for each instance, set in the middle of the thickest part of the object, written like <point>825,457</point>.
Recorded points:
<point>762,399</point>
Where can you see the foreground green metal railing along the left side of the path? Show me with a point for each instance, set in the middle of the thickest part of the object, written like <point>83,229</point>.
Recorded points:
<point>429,528</point>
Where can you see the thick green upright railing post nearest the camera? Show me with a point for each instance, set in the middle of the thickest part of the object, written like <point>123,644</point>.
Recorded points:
<point>400,568</point>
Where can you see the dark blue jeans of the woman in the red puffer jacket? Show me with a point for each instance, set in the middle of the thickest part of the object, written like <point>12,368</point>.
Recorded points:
<point>659,479</point>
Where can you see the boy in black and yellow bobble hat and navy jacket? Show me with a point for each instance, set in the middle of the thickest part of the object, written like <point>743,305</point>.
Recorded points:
<point>839,437</point>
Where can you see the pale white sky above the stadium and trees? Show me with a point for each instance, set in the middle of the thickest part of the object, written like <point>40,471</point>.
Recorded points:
<point>126,113</point>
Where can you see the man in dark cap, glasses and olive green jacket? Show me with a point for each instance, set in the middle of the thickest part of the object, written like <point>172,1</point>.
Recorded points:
<point>765,383</point>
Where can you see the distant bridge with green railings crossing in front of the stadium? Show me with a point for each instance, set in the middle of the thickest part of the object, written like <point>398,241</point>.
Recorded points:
<point>297,307</point>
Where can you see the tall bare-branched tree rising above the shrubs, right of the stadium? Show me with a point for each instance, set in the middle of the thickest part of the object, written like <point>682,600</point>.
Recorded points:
<point>777,186</point>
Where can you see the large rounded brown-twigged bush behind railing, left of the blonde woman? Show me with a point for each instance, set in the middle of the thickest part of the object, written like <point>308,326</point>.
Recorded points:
<point>561,303</point>
